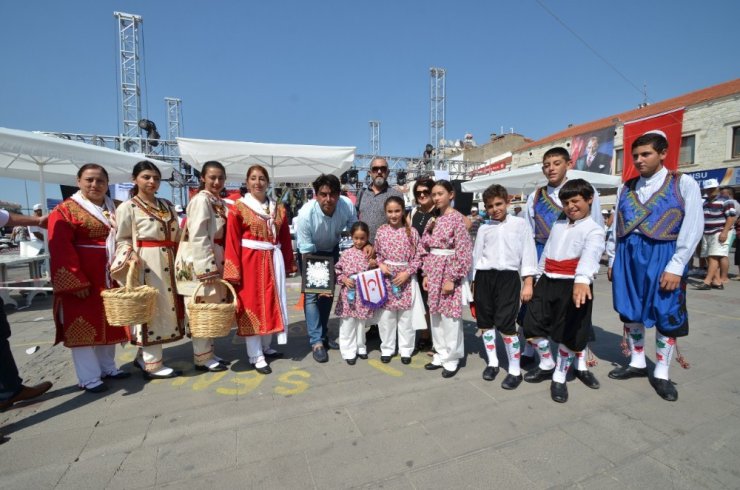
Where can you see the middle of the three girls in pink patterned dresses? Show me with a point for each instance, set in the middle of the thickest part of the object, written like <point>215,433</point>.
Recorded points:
<point>398,254</point>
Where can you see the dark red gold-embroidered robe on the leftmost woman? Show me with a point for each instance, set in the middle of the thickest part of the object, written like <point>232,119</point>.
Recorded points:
<point>79,261</point>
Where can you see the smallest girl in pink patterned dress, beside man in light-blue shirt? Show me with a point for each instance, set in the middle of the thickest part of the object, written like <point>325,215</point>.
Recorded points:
<point>349,307</point>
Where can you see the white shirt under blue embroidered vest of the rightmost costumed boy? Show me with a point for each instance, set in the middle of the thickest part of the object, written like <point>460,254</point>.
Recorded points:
<point>692,227</point>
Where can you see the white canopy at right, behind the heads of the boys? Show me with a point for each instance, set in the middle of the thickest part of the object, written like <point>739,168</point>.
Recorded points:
<point>523,180</point>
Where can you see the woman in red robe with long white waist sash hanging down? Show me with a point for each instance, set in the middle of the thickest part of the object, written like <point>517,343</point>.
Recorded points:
<point>258,254</point>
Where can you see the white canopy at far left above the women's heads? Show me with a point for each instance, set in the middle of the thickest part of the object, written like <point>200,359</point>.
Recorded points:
<point>46,158</point>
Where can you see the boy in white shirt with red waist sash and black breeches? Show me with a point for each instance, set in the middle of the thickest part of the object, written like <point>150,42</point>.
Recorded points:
<point>562,301</point>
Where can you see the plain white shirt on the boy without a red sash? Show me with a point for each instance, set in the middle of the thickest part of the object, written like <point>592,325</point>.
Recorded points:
<point>505,246</point>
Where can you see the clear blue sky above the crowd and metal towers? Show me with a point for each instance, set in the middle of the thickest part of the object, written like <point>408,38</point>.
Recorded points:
<point>317,72</point>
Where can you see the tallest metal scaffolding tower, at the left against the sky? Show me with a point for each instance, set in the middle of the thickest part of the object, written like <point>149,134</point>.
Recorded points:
<point>129,47</point>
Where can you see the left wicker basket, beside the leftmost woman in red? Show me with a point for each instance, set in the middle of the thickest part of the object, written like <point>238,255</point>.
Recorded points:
<point>129,305</point>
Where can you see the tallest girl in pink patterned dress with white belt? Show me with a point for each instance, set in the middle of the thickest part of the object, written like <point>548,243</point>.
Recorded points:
<point>446,265</point>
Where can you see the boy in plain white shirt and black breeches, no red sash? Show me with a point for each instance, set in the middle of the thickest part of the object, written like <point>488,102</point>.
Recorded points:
<point>504,249</point>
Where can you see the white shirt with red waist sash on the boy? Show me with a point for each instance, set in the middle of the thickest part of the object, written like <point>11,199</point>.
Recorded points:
<point>582,241</point>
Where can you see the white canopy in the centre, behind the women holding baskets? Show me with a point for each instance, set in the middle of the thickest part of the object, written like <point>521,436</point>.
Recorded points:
<point>285,163</point>
